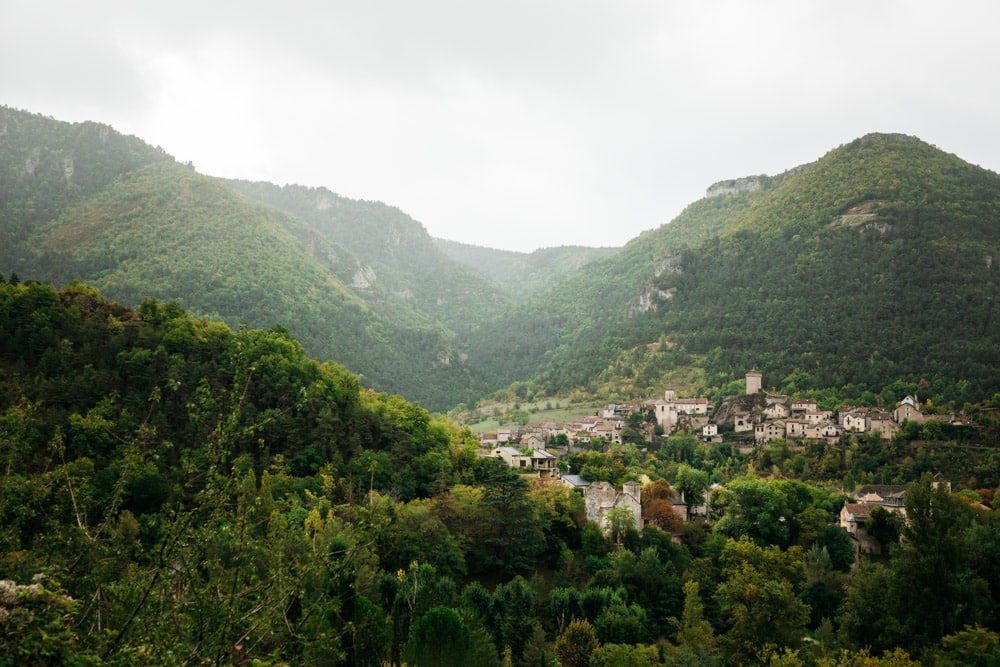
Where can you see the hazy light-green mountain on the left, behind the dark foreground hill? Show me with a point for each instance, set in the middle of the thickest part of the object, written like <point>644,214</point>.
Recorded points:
<point>83,202</point>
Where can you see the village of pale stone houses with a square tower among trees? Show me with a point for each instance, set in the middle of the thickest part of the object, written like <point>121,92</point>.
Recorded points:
<point>751,420</point>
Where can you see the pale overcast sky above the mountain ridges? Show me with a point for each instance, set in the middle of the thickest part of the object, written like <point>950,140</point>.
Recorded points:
<point>514,125</point>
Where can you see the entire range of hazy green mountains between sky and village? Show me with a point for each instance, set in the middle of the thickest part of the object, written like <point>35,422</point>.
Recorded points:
<point>876,264</point>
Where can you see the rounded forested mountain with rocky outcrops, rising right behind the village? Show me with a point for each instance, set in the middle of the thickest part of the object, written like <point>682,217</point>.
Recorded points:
<point>873,265</point>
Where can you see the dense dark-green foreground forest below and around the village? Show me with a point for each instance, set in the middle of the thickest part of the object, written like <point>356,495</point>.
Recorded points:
<point>173,492</point>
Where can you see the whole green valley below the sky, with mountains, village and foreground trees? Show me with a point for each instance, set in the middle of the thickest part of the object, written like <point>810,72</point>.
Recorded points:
<point>251,424</point>
